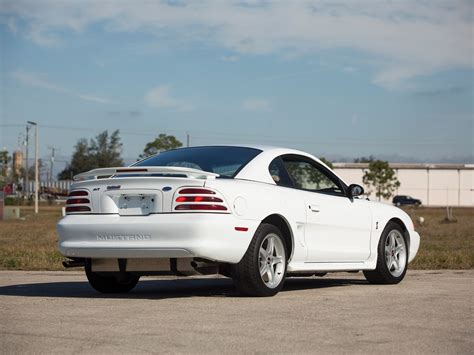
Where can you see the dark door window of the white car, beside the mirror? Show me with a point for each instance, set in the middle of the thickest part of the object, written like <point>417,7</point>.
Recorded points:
<point>309,176</point>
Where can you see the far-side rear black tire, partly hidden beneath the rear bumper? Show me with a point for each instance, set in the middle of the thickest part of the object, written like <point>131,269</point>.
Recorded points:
<point>111,284</point>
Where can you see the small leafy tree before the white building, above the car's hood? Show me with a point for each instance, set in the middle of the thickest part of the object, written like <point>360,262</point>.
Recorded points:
<point>381,178</point>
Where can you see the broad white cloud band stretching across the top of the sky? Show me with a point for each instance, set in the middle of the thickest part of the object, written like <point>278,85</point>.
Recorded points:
<point>401,39</point>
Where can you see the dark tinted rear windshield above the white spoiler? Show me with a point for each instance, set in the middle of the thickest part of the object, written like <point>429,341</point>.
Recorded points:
<point>225,161</point>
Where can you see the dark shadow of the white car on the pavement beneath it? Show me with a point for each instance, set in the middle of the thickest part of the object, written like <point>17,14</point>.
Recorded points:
<point>165,289</point>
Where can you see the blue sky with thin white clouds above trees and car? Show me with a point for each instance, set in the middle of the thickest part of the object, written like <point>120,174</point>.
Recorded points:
<point>339,79</point>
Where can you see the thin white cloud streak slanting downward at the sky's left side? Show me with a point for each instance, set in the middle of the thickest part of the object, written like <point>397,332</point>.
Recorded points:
<point>41,81</point>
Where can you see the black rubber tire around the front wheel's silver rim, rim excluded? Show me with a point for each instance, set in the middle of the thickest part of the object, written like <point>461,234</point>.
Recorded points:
<point>382,275</point>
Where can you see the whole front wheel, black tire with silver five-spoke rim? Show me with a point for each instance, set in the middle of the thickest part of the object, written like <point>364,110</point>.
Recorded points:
<point>392,258</point>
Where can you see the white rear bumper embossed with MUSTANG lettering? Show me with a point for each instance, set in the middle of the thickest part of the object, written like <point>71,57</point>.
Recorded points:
<point>204,235</point>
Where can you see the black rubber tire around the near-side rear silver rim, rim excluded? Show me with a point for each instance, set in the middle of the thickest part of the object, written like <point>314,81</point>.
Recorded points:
<point>246,274</point>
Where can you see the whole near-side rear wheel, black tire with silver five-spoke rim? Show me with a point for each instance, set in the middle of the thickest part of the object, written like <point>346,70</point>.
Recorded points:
<point>261,272</point>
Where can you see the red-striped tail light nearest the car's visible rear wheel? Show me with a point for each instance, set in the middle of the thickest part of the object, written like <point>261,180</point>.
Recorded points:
<point>198,199</point>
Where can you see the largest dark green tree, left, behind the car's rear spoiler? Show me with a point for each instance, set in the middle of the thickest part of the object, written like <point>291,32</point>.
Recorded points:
<point>101,152</point>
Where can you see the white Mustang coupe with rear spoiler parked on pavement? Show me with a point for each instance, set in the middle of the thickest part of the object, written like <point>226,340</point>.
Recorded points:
<point>256,214</point>
